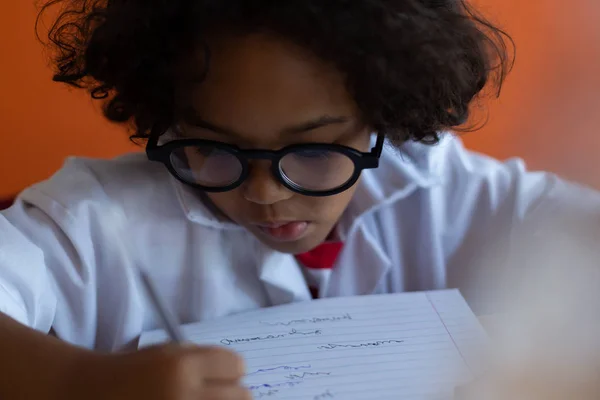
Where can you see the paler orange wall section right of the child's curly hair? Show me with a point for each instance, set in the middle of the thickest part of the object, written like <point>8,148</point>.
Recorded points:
<point>549,112</point>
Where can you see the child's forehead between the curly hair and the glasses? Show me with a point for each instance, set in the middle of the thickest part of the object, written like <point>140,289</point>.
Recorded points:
<point>260,83</point>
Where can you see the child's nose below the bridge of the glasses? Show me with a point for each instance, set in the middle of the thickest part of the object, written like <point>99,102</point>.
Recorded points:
<point>261,187</point>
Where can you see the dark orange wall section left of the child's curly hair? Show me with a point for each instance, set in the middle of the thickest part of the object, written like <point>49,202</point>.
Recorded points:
<point>42,122</point>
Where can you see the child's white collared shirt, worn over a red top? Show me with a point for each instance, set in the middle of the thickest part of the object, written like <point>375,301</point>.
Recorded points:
<point>430,217</point>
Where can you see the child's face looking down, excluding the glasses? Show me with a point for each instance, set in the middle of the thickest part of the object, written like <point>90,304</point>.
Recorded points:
<point>262,92</point>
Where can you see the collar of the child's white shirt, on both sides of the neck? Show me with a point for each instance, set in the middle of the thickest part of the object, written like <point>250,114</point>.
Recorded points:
<point>401,172</point>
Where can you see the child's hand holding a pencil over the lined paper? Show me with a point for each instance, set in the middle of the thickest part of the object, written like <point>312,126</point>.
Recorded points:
<point>166,373</point>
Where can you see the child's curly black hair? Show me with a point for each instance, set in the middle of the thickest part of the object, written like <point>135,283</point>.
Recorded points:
<point>412,66</point>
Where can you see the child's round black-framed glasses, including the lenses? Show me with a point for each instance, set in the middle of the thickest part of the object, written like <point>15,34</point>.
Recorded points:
<point>311,169</point>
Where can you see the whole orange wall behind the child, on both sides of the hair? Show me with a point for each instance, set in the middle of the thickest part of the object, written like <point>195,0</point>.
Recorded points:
<point>548,114</point>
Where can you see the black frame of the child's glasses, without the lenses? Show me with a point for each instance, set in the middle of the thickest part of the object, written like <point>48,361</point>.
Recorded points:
<point>361,160</point>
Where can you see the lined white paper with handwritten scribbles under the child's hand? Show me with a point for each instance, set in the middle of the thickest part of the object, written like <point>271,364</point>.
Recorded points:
<point>400,346</point>
